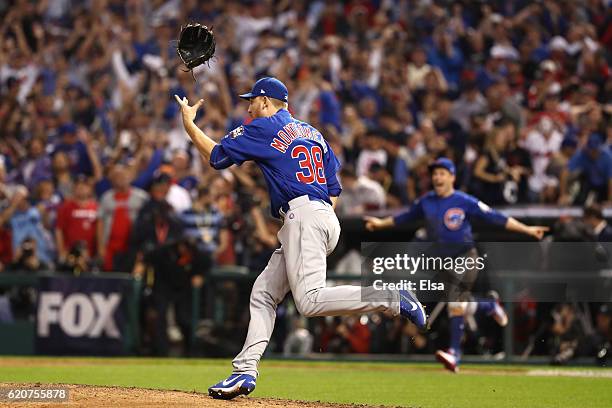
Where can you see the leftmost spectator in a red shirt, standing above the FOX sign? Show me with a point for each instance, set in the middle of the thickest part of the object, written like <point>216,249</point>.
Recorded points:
<point>76,220</point>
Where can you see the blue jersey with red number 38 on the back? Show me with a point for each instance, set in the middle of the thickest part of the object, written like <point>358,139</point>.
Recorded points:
<point>293,156</point>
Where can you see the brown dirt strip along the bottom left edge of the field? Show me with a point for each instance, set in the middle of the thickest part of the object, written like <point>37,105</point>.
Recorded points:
<point>95,396</point>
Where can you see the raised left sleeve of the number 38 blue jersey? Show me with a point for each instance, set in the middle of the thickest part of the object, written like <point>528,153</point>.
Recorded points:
<point>242,144</point>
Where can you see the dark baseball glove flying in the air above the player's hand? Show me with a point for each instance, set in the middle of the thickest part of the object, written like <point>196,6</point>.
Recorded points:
<point>196,45</point>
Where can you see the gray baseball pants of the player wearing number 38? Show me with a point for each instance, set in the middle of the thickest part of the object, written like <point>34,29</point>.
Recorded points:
<point>309,234</point>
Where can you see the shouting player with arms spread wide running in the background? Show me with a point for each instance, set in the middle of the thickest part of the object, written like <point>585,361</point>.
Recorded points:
<point>447,215</point>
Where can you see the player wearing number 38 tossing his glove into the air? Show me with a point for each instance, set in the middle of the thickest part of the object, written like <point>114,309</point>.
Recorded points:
<point>300,170</point>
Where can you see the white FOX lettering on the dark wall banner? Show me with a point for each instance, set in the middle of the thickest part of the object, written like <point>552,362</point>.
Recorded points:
<point>79,314</point>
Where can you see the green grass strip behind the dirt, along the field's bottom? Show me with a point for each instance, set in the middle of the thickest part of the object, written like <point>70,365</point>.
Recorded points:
<point>395,384</point>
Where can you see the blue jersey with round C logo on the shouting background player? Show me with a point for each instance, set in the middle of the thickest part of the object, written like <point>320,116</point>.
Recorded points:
<point>448,219</point>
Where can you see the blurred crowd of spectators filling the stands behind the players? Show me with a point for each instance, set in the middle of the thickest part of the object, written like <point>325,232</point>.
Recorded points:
<point>96,171</point>
